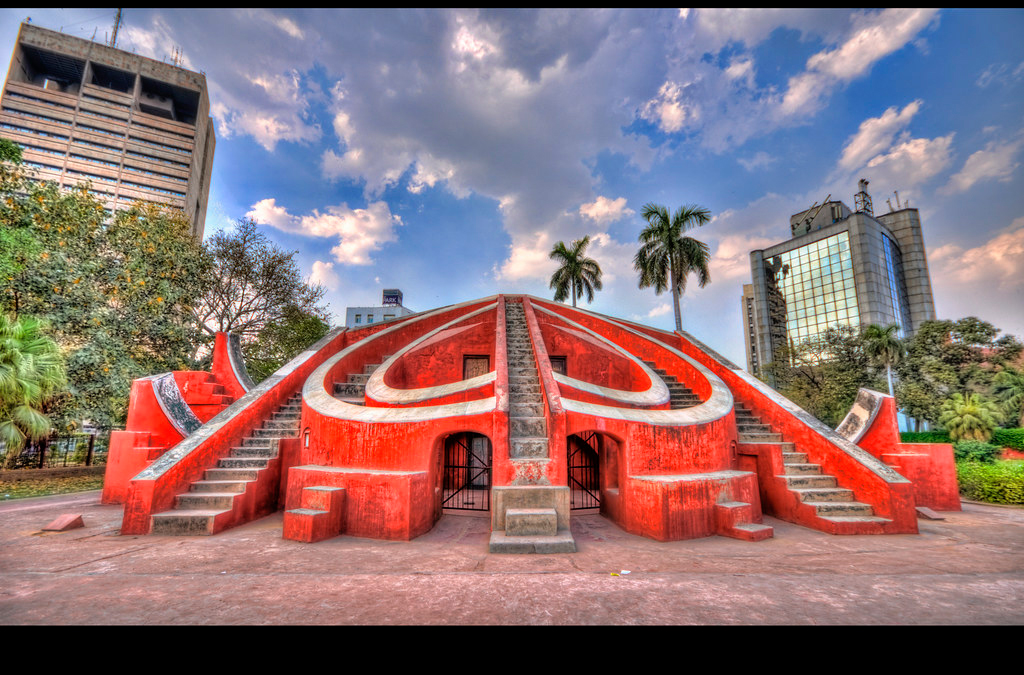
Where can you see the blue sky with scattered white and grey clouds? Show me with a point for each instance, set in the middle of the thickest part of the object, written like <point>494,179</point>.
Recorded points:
<point>445,153</point>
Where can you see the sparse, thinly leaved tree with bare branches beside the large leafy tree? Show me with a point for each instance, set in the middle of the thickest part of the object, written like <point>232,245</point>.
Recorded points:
<point>253,284</point>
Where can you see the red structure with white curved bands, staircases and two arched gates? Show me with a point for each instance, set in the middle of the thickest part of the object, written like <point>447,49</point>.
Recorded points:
<point>525,410</point>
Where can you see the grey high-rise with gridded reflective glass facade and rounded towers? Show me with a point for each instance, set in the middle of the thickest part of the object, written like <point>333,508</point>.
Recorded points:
<point>840,268</point>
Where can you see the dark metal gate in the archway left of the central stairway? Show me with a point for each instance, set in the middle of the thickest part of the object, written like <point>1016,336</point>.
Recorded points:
<point>467,473</point>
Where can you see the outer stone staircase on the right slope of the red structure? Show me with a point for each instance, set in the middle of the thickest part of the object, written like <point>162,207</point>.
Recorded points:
<point>815,489</point>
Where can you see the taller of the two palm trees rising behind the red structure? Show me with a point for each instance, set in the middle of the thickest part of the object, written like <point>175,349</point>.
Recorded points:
<point>667,257</point>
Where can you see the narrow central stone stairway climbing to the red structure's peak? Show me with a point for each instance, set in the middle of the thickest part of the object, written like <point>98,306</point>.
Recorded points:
<point>528,429</point>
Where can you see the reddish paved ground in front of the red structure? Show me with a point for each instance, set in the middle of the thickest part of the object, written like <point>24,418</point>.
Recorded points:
<point>968,569</point>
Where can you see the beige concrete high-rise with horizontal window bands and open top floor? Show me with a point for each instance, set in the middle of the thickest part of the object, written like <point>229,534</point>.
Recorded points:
<point>135,128</point>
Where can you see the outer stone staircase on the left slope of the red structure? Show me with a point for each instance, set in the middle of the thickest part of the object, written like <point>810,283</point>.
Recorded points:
<point>210,504</point>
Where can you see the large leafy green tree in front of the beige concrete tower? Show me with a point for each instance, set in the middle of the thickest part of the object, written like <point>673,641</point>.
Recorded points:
<point>117,290</point>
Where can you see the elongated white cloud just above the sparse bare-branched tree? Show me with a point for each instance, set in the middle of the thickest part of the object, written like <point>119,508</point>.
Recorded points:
<point>360,232</point>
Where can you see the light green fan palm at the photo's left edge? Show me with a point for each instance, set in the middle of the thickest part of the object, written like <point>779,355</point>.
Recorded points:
<point>31,372</point>
